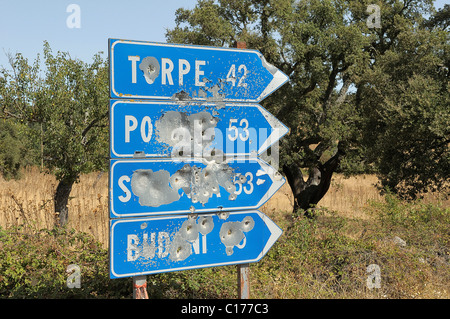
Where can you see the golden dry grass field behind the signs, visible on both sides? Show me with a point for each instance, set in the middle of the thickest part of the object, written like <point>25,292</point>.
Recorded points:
<point>31,199</point>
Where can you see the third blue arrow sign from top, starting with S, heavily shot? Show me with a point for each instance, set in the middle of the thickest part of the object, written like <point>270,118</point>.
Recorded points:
<point>145,187</point>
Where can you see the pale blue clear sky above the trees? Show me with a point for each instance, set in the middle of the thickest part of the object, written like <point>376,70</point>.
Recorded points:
<point>25,24</point>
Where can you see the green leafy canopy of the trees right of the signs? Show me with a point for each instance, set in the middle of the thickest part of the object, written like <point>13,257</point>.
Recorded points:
<point>379,95</point>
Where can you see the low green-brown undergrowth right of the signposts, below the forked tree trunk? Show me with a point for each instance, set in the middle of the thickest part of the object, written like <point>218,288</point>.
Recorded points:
<point>327,257</point>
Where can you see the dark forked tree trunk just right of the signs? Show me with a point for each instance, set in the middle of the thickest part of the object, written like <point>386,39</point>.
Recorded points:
<point>308,193</point>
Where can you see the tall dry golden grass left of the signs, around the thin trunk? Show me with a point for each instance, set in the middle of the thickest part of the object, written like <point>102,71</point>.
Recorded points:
<point>30,199</point>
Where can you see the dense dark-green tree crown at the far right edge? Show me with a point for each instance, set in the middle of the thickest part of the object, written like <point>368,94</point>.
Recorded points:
<point>404,101</point>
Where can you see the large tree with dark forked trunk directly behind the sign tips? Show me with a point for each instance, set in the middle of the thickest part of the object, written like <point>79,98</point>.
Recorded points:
<point>320,49</point>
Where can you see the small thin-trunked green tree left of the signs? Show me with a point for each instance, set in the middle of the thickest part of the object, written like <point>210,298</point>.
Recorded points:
<point>67,105</point>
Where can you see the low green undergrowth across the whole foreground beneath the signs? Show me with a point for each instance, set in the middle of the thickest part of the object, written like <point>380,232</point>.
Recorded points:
<point>326,256</point>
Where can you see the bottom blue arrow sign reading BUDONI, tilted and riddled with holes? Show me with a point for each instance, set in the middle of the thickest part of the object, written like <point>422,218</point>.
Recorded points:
<point>144,246</point>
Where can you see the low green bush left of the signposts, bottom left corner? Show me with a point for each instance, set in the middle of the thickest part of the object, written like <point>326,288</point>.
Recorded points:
<point>33,264</point>
